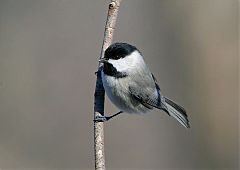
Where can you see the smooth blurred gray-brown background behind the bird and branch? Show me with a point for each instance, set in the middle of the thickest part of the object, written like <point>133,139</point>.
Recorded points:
<point>49,52</point>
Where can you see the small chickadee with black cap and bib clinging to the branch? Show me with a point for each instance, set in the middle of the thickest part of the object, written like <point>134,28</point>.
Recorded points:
<point>131,86</point>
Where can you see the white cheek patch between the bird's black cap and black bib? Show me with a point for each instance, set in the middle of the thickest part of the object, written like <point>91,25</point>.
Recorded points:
<point>127,63</point>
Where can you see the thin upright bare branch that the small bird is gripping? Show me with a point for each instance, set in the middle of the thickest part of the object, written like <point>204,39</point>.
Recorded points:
<point>99,90</point>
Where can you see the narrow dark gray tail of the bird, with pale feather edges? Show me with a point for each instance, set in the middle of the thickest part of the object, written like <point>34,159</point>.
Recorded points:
<point>177,112</point>
